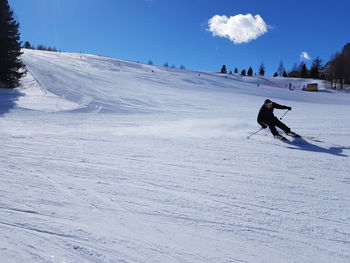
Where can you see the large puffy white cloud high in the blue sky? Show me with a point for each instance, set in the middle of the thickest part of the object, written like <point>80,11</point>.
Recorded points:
<point>239,29</point>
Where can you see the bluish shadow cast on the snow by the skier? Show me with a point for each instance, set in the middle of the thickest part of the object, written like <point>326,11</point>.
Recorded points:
<point>304,145</point>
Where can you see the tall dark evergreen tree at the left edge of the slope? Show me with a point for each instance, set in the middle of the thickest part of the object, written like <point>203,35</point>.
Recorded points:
<point>11,65</point>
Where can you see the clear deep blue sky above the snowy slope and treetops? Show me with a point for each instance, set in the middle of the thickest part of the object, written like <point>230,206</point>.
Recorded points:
<point>177,31</point>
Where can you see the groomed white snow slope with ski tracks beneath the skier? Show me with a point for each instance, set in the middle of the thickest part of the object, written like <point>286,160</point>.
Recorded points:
<point>105,160</point>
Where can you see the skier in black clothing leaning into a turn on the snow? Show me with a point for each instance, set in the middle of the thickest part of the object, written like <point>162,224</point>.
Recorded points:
<point>267,119</point>
